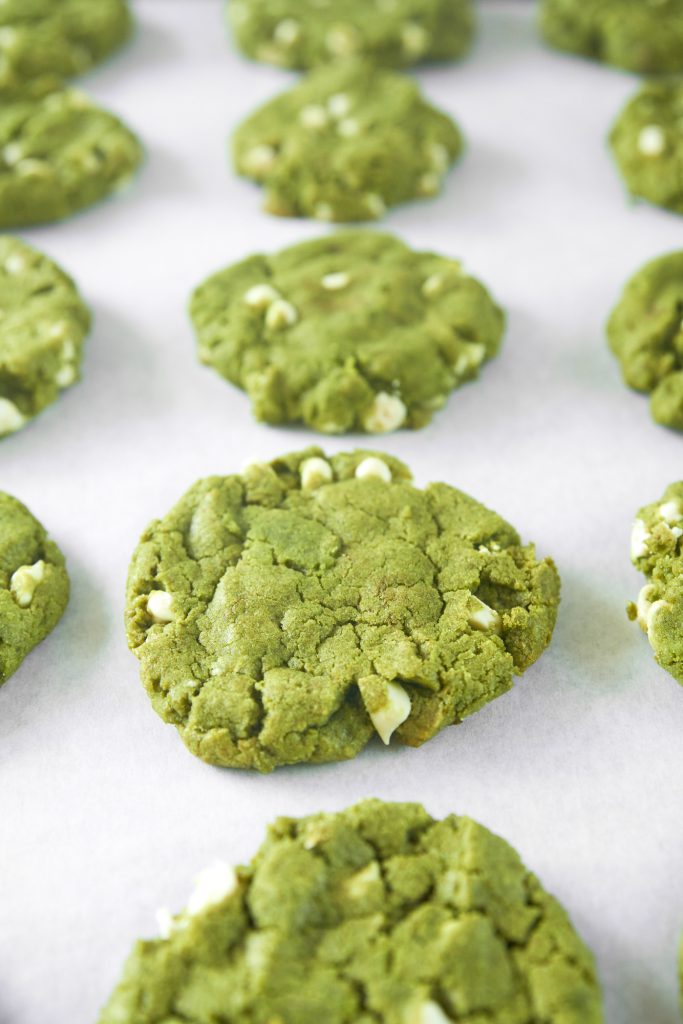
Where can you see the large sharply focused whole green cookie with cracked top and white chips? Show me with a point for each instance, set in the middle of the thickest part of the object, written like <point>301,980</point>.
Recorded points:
<point>289,614</point>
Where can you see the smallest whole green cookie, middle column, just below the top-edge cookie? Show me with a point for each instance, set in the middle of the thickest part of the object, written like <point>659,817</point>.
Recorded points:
<point>346,144</point>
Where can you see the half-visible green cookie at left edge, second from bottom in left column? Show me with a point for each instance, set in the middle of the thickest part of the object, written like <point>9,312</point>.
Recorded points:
<point>44,325</point>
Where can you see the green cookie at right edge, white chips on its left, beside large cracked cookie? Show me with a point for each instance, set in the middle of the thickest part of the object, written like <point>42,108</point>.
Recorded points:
<point>657,551</point>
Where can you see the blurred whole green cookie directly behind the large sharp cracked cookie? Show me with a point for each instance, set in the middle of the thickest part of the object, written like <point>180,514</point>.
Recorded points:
<point>351,332</point>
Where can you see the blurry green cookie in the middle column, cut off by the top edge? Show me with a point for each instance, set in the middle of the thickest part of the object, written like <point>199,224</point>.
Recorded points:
<point>393,33</point>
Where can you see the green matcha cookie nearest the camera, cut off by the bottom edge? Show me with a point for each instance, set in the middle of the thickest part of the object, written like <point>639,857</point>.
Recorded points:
<point>377,914</point>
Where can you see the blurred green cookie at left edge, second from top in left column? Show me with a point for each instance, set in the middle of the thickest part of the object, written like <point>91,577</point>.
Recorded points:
<point>60,154</point>
